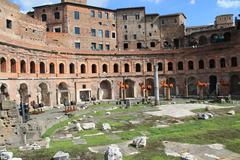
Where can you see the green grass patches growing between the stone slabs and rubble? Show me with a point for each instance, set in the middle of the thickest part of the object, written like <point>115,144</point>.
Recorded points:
<point>222,129</point>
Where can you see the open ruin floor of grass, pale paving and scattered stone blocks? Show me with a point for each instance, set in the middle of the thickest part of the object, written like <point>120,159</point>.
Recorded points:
<point>171,131</point>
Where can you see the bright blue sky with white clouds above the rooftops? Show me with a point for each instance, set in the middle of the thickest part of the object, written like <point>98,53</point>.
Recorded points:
<point>198,12</point>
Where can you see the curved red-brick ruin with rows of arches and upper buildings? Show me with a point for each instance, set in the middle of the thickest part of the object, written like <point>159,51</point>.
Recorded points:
<point>77,52</point>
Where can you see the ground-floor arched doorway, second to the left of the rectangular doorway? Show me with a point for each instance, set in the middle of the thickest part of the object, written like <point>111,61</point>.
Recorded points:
<point>45,95</point>
